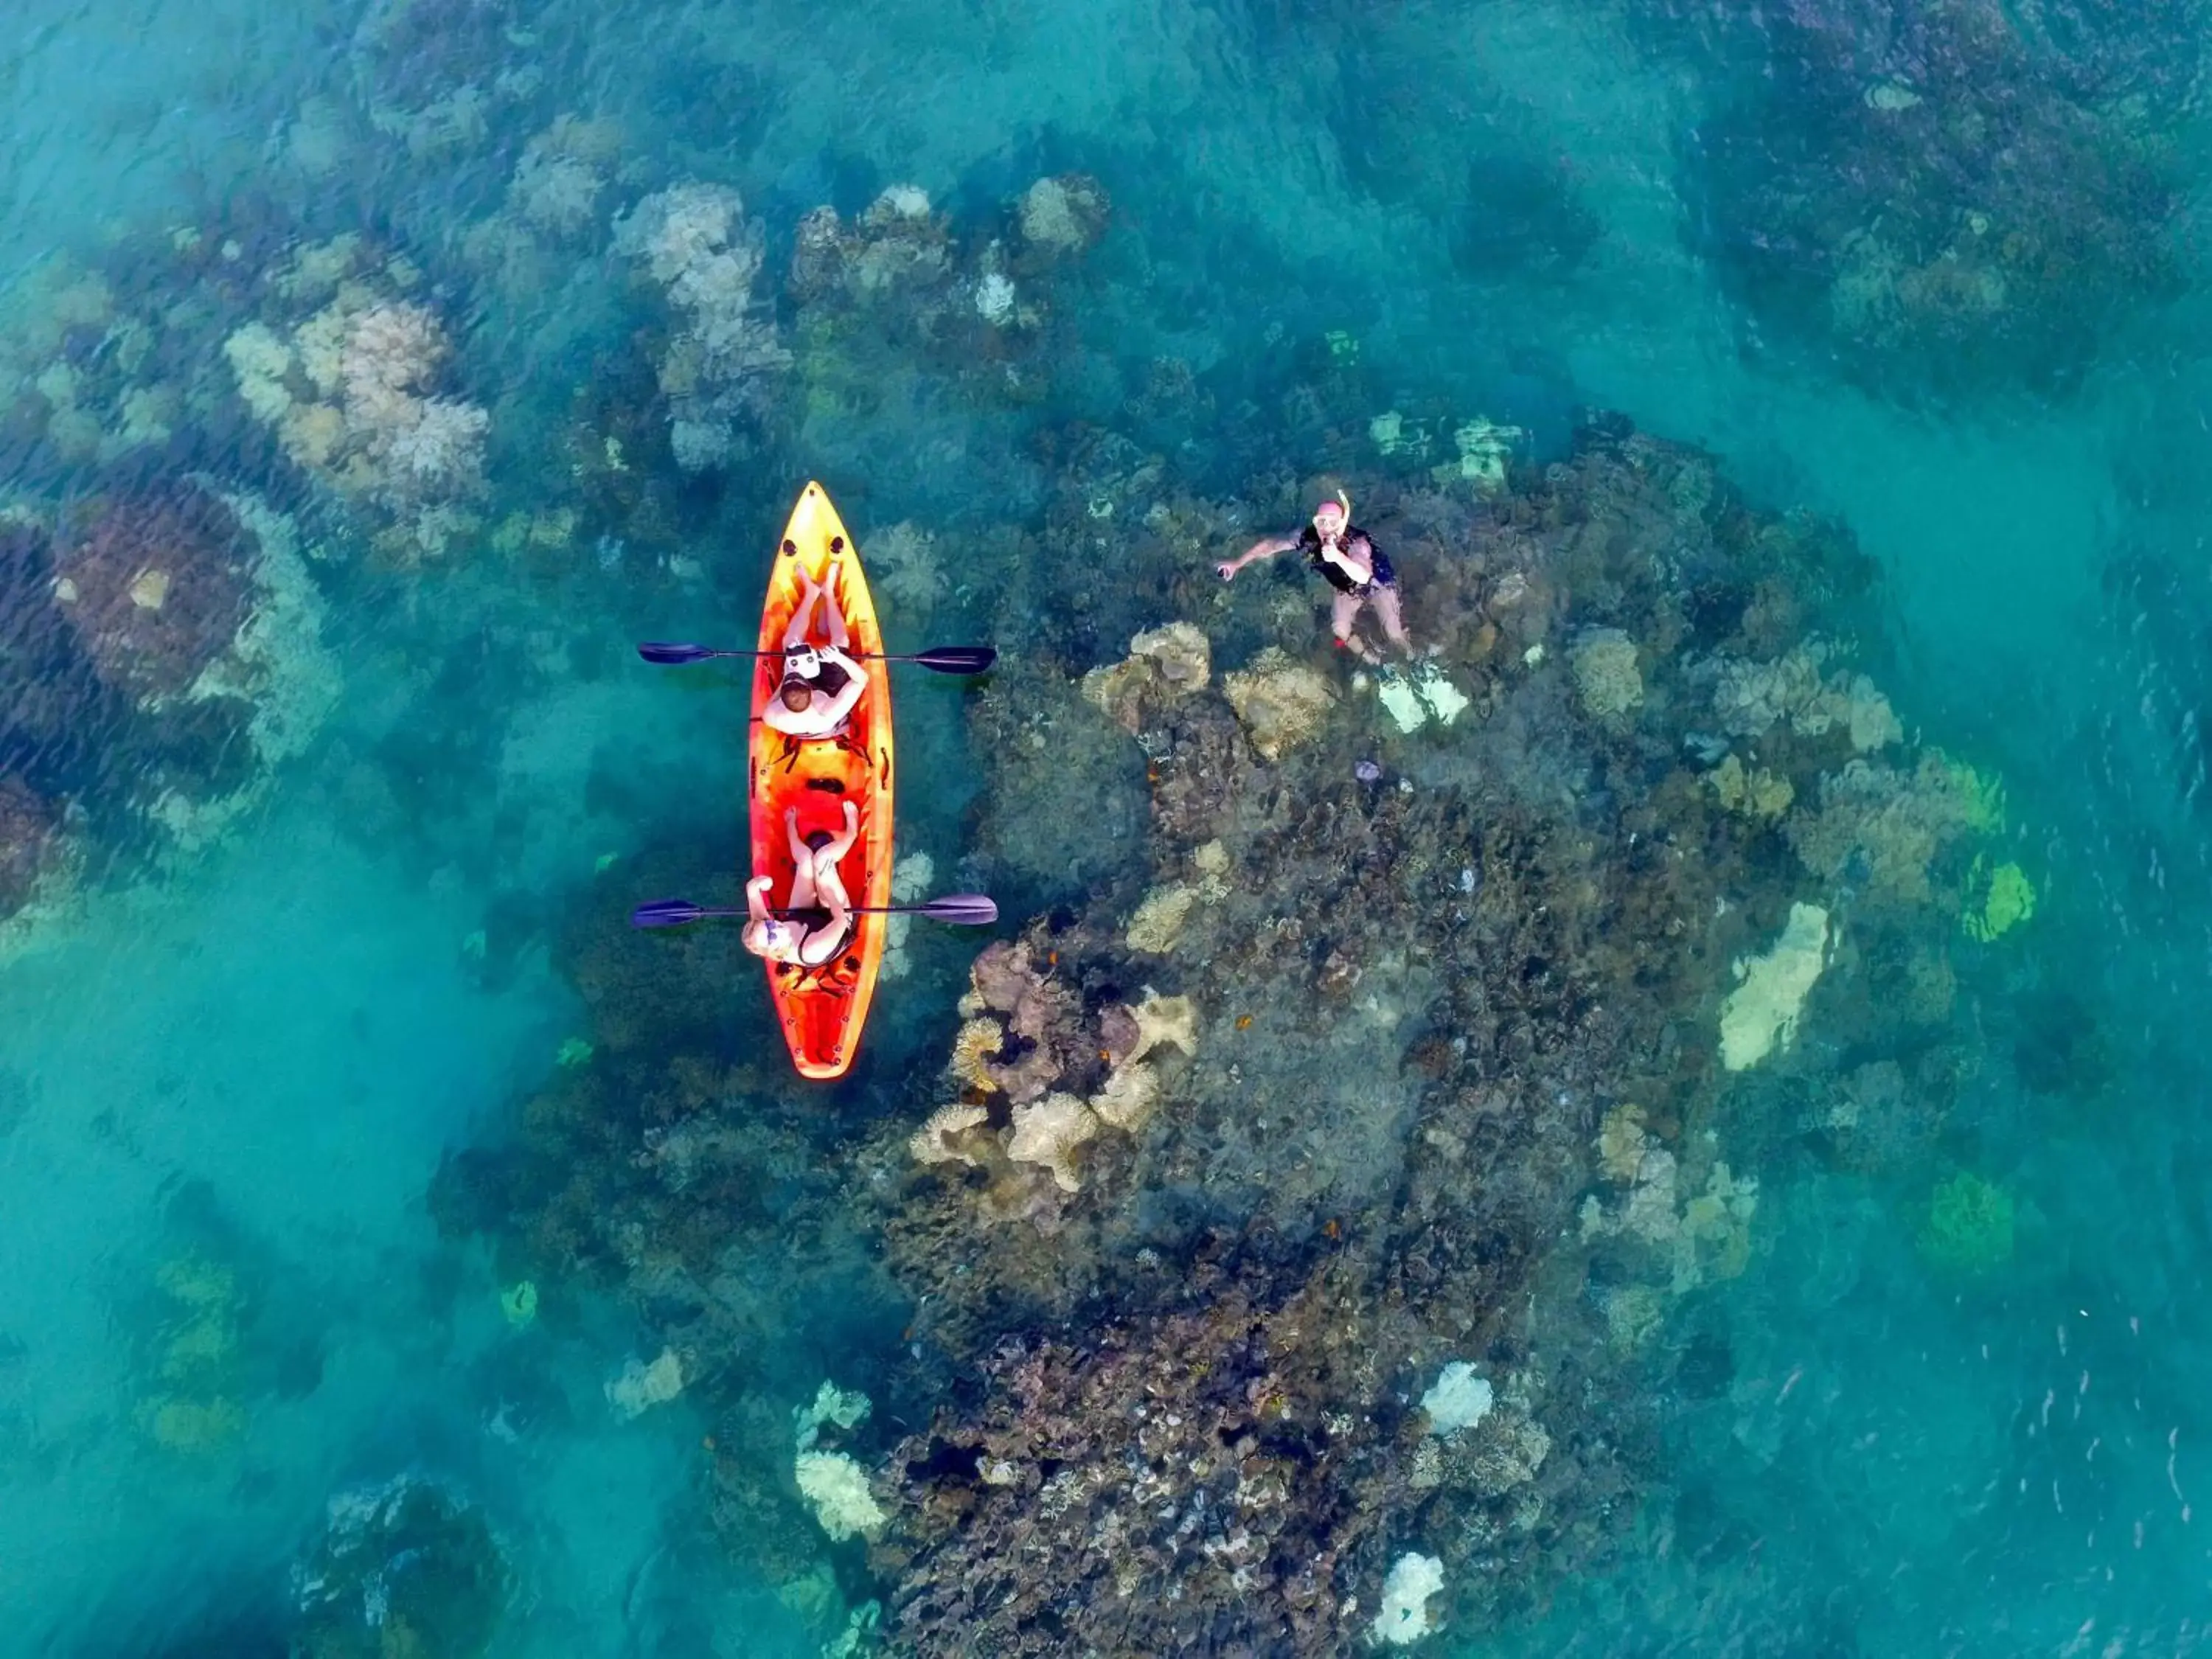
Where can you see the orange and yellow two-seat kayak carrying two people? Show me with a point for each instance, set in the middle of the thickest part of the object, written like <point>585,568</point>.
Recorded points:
<point>824,1010</point>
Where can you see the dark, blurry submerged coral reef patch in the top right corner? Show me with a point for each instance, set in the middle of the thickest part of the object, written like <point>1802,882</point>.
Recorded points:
<point>1923,196</point>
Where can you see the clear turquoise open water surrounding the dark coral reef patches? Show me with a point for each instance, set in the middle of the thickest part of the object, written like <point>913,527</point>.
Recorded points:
<point>260,1056</point>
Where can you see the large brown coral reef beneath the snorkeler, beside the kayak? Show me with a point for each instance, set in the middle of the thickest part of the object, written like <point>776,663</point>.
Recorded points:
<point>1311,1176</point>
